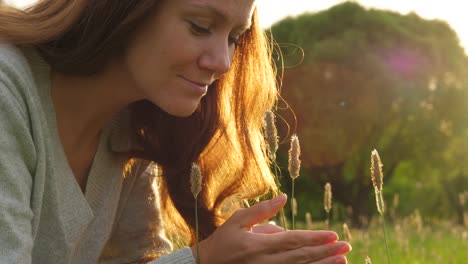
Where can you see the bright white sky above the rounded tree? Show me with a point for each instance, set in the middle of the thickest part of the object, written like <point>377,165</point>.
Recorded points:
<point>270,11</point>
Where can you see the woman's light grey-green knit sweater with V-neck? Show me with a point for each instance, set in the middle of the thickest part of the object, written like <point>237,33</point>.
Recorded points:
<point>44,215</point>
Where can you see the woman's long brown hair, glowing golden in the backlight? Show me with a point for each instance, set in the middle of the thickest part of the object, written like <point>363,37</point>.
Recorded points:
<point>224,135</point>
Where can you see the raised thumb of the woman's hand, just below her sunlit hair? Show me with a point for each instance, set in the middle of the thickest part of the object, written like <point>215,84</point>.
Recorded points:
<point>248,217</point>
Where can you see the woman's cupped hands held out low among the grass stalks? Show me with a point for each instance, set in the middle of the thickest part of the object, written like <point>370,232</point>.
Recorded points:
<point>238,240</point>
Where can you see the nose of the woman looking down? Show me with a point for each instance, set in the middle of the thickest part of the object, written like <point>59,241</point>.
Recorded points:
<point>216,58</point>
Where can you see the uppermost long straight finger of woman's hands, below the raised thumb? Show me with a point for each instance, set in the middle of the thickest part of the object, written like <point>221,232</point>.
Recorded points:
<point>293,239</point>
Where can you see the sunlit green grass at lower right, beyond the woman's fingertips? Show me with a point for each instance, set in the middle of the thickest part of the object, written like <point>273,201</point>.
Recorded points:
<point>408,243</point>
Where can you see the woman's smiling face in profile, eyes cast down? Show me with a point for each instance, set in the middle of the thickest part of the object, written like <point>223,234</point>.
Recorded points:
<point>183,48</point>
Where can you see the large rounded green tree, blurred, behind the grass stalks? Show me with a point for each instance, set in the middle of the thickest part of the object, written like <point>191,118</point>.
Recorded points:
<point>377,79</point>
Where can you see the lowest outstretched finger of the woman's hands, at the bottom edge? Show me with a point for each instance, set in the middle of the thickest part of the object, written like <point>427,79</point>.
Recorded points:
<point>314,254</point>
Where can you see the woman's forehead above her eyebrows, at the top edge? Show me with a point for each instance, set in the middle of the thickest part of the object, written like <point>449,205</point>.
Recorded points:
<point>236,11</point>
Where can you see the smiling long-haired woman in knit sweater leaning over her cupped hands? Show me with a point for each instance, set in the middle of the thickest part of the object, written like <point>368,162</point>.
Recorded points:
<point>95,93</point>
